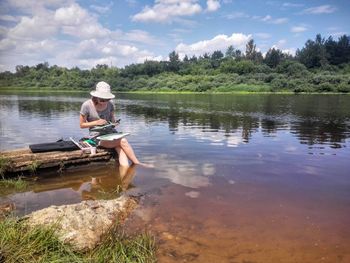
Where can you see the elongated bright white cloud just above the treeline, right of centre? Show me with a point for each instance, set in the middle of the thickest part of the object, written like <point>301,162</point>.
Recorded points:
<point>220,42</point>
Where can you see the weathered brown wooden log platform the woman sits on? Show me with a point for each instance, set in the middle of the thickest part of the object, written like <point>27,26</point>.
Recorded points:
<point>23,160</point>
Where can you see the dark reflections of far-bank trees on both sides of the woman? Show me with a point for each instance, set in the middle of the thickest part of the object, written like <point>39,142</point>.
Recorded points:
<point>312,118</point>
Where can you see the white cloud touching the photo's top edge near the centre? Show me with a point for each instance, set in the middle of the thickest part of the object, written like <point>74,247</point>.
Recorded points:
<point>168,10</point>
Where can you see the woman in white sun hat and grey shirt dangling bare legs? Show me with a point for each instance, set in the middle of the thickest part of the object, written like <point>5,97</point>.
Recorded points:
<point>99,111</point>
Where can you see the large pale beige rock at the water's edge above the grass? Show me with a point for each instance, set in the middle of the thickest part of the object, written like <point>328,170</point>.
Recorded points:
<point>83,224</point>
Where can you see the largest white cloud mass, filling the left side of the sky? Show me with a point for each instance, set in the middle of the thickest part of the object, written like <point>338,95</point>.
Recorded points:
<point>37,37</point>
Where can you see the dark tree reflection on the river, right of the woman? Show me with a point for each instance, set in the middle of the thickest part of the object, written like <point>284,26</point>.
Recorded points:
<point>314,119</point>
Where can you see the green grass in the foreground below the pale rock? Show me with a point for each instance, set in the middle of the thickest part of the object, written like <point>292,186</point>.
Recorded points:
<point>21,243</point>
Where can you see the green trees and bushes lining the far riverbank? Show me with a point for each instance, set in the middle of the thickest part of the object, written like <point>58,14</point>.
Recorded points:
<point>321,66</point>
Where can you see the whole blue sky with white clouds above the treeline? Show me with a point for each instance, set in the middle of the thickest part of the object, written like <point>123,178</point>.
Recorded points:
<point>77,33</point>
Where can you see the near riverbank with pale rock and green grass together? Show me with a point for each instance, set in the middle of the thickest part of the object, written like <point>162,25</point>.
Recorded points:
<point>90,231</point>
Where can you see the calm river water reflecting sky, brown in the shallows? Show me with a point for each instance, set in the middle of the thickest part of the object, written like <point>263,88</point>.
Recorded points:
<point>237,178</point>
